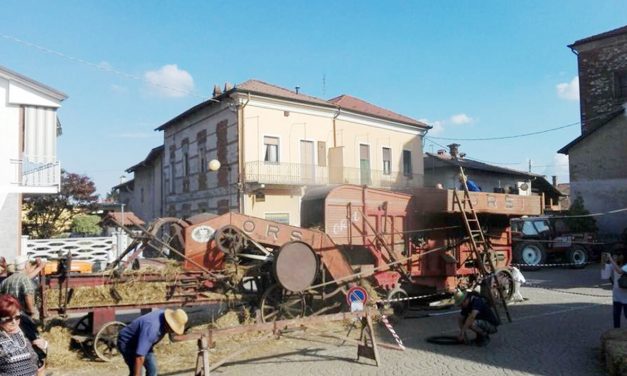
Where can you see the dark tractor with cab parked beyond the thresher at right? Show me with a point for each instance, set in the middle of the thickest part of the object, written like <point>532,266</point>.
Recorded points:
<point>541,240</point>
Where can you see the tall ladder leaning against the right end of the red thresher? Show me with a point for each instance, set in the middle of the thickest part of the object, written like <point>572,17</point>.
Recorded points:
<point>478,244</point>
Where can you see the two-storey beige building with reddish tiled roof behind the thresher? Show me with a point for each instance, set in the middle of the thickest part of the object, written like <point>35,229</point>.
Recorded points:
<point>273,144</point>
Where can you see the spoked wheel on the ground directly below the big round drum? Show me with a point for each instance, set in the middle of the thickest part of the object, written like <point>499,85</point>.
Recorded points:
<point>279,304</point>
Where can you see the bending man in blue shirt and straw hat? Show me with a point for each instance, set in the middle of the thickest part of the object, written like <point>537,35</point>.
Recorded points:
<point>137,340</point>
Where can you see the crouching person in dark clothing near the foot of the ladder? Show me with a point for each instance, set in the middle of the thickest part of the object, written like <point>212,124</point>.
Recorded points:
<point>477,316</point>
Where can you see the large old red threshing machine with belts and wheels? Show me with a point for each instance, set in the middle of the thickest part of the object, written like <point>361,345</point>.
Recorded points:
<point>404,244</point>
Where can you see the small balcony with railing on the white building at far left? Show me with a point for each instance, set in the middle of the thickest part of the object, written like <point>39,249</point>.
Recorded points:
<point>40,176</point>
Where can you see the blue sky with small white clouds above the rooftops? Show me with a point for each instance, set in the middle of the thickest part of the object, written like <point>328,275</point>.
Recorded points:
<point>471,68</point>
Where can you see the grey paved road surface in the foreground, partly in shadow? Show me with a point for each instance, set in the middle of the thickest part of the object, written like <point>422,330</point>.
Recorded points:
<point>555,332</point>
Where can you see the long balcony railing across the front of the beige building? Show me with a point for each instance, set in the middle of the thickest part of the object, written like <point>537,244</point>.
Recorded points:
<point>303,174</point>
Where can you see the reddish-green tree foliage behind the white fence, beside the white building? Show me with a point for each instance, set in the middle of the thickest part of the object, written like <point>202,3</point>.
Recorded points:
<point>50,215</point>
